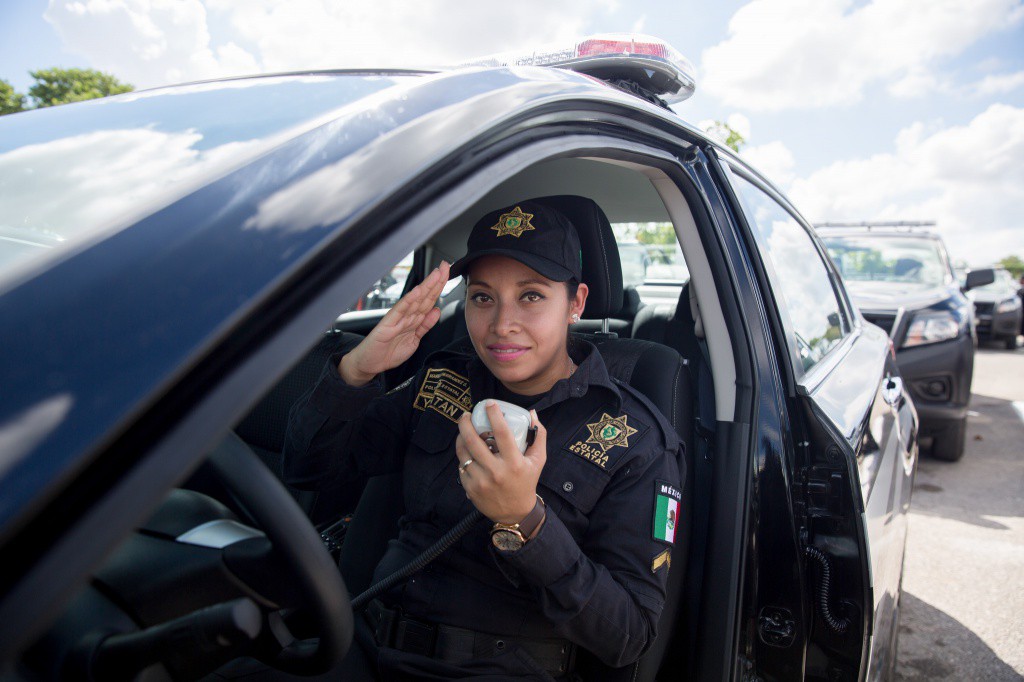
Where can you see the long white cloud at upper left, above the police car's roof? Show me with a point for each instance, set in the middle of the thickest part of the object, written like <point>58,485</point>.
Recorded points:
<point>153,42</point>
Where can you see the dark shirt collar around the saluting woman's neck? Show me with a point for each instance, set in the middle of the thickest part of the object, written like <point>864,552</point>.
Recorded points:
<point>591,374</point>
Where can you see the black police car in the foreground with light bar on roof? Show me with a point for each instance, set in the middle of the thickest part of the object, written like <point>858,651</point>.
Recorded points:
<point>179,263</point>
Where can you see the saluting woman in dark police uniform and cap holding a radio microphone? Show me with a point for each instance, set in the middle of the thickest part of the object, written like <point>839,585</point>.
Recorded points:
<point>577,545</point>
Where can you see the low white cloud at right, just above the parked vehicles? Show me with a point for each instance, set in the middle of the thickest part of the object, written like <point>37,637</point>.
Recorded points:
<point>968,179</point>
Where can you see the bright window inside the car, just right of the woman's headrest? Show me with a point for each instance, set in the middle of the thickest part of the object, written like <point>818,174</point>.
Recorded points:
<point>653,263</point>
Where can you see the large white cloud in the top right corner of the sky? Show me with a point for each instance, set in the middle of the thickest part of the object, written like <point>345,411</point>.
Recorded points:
<point>808,54</point>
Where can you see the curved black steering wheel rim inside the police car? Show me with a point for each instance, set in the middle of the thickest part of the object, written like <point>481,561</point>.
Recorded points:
<point>317,580</point>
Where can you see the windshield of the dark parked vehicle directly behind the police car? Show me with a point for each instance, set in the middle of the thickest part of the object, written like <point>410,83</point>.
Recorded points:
<point>914,262</point>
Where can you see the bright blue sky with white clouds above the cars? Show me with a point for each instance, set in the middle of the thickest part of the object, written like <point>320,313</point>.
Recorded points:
<point>870,110</point>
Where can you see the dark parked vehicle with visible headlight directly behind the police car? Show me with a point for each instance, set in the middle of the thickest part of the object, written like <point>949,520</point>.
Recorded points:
<point>904,283</point>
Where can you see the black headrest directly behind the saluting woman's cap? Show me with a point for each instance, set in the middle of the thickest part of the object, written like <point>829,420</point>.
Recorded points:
<point>602,271</point>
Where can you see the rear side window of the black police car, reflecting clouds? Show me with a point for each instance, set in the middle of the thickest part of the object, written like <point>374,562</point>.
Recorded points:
<point>798,273</point>
